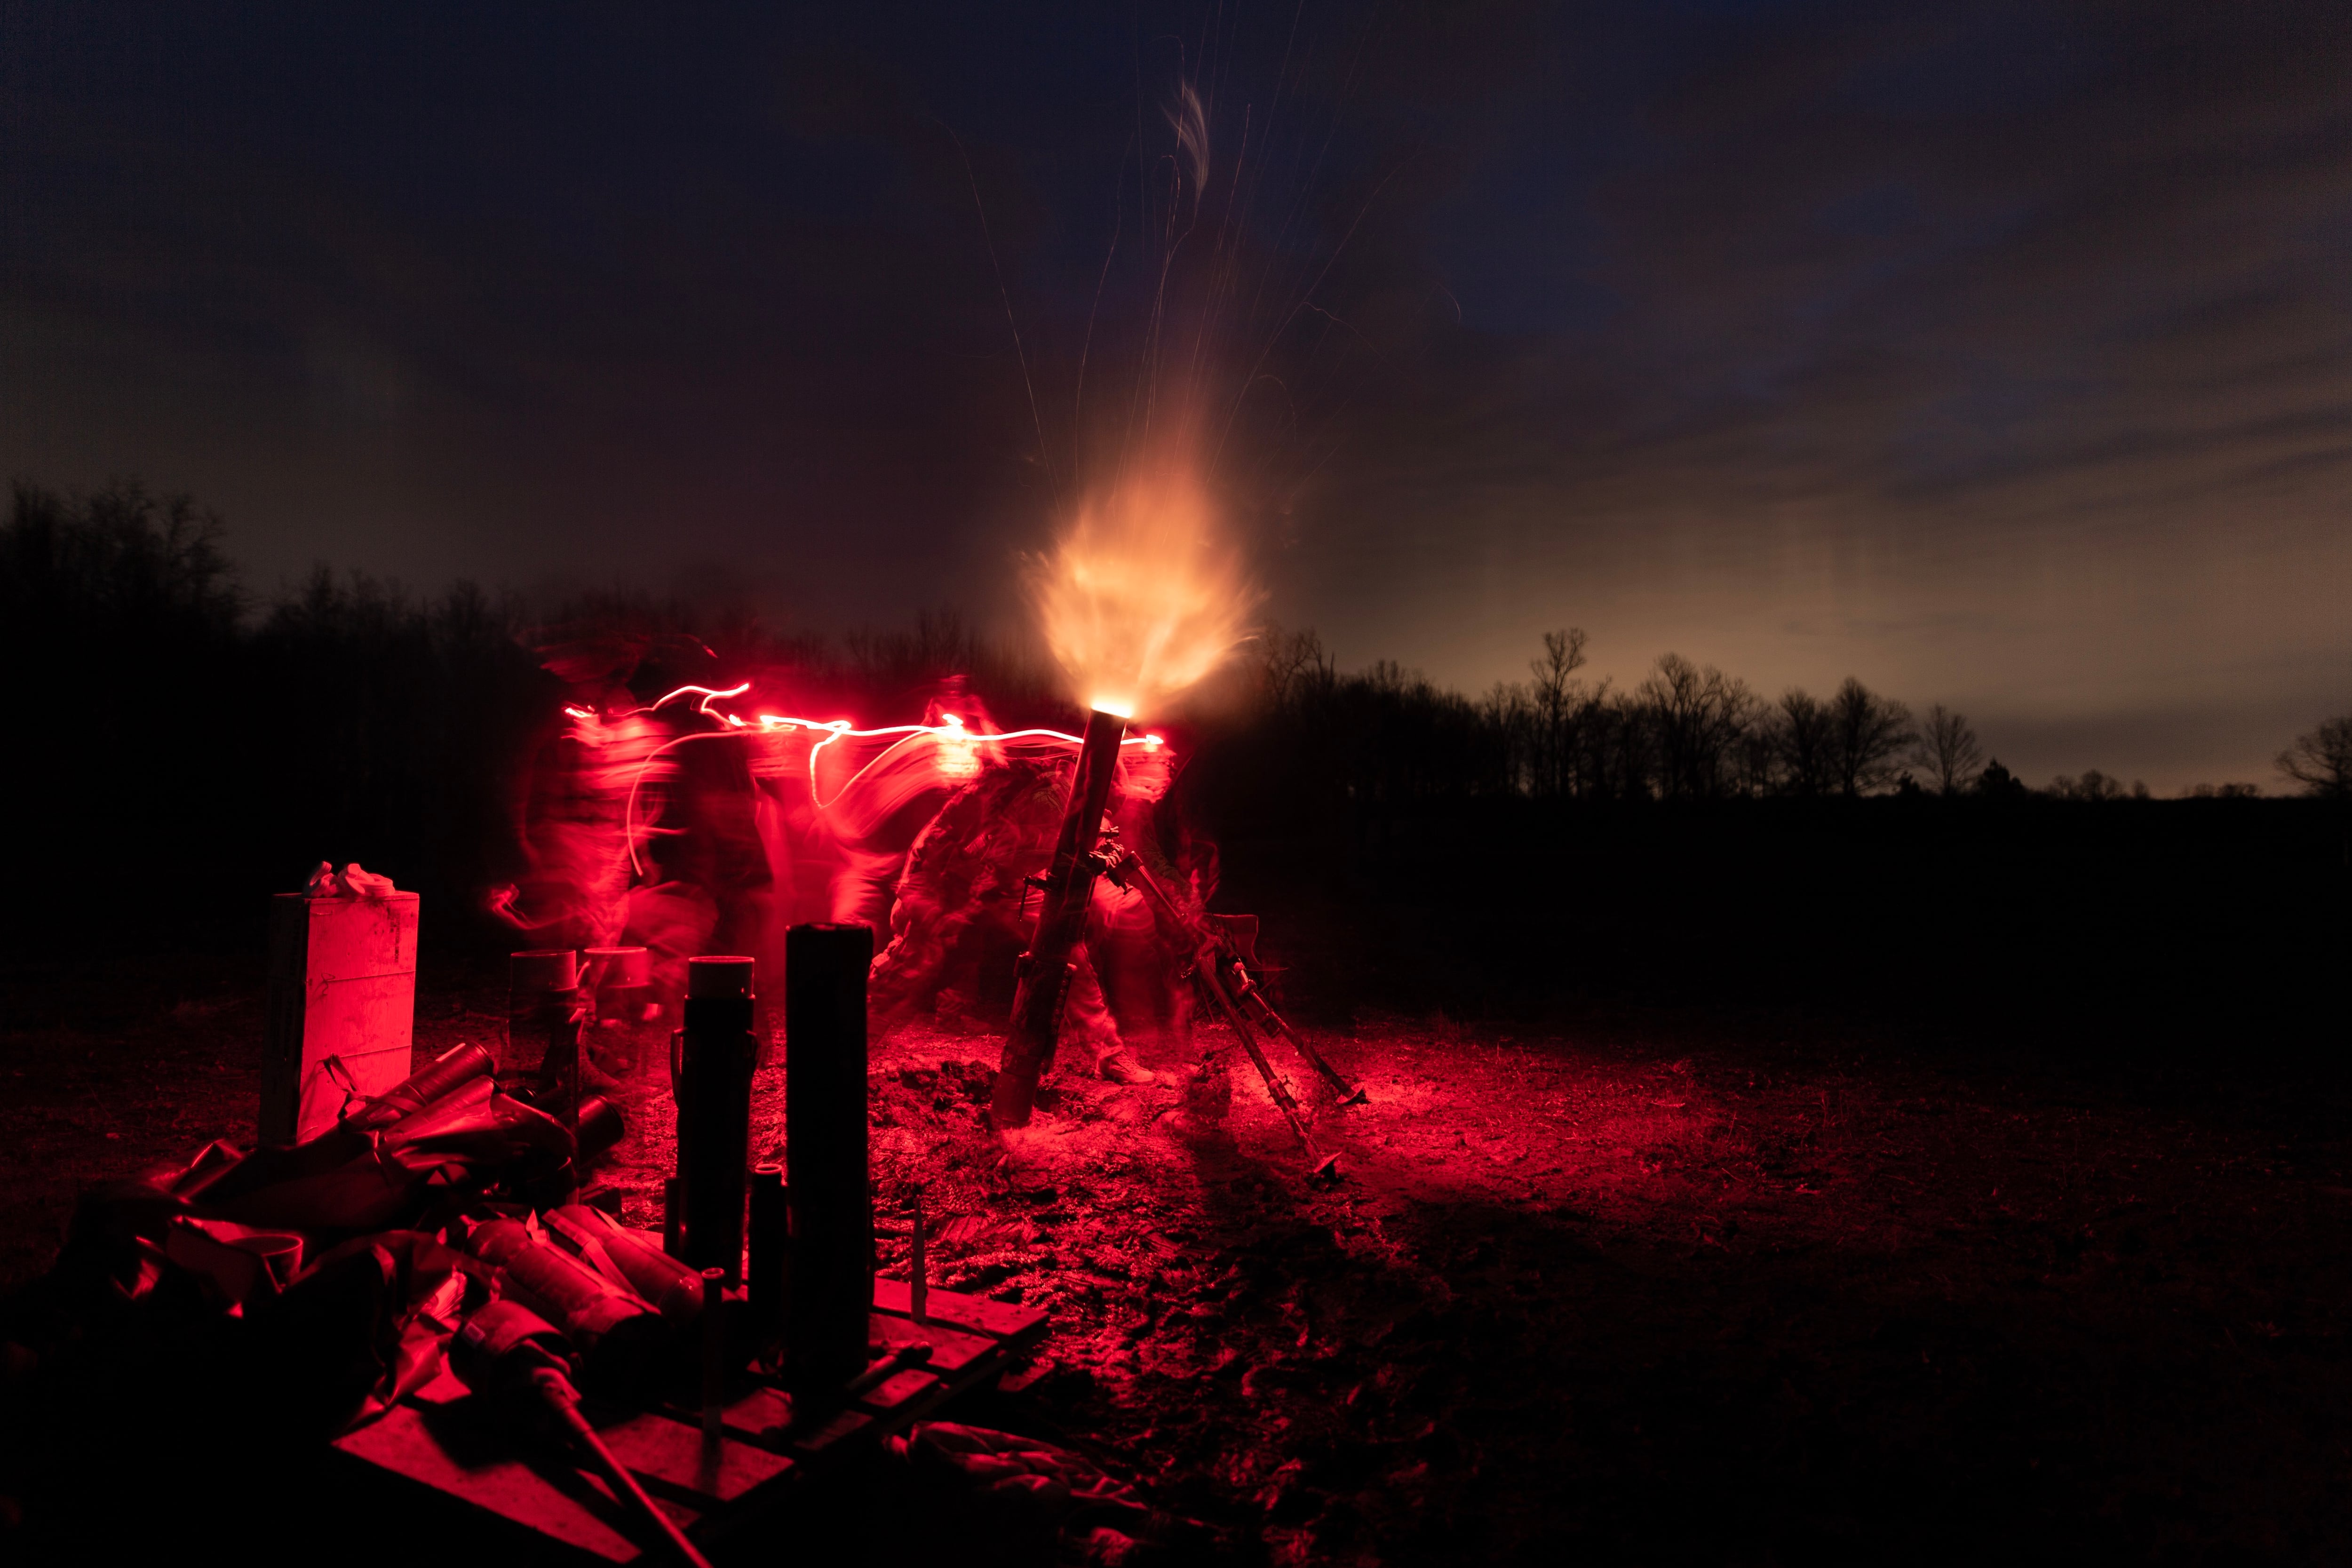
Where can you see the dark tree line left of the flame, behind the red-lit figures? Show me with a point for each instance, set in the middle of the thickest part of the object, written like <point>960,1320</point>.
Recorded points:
<point>187,749</point>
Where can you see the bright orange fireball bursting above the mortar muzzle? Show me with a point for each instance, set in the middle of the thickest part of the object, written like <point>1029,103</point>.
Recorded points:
<point>1142,596</point>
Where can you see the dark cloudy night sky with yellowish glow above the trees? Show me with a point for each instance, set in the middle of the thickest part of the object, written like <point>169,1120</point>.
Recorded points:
<point>1996,354</point>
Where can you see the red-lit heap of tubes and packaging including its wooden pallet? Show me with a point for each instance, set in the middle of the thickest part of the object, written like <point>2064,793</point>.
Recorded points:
<point>530,1376</point>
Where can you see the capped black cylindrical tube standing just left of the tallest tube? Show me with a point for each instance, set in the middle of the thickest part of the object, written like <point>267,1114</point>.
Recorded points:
<point>716,1061</point>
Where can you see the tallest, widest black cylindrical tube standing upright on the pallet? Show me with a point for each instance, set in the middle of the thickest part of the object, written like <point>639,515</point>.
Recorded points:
<point>824,1130</point>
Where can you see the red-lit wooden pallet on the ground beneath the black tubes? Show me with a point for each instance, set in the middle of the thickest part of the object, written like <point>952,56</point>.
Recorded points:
<point>436,1449</point>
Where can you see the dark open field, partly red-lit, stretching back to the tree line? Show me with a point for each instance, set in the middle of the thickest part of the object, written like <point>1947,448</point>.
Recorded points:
<point>1737,1226</point>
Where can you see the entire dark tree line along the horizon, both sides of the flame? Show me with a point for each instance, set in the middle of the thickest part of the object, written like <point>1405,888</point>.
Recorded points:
<point>185,744</point>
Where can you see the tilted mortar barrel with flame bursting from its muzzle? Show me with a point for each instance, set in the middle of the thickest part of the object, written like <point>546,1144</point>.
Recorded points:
<point>1062,923</point>
